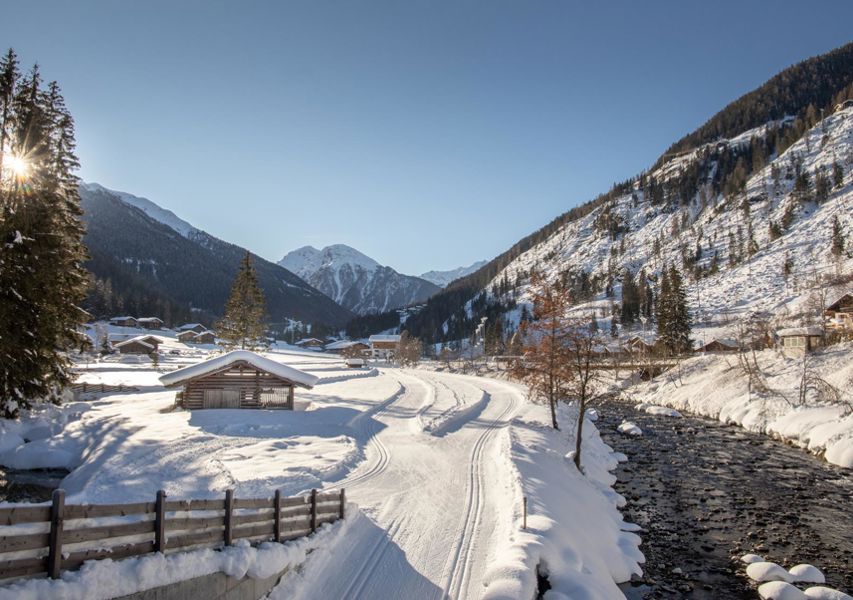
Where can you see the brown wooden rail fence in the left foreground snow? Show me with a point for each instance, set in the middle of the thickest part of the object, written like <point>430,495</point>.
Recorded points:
<point>45,540</point>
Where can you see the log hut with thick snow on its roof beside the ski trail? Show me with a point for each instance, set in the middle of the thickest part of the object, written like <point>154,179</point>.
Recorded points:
<point>238,379</point>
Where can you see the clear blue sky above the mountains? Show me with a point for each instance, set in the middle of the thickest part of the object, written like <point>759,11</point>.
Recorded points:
<point>426,134</point>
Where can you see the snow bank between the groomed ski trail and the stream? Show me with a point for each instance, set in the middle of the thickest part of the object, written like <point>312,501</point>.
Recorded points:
<point>575,532</point>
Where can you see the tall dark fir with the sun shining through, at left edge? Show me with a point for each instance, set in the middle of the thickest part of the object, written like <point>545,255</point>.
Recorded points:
<point>41,275</point>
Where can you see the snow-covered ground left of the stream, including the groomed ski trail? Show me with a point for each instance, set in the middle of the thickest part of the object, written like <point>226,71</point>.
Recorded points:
<point>438,465</point>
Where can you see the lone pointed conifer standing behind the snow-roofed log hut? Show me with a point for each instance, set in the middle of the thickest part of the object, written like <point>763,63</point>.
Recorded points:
<point>243,322</point>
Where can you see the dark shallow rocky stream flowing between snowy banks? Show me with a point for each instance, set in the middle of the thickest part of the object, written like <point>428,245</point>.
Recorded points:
<point>706,493</point>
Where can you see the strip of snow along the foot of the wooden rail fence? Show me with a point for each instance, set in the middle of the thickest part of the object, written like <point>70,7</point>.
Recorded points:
<point>103,579</point>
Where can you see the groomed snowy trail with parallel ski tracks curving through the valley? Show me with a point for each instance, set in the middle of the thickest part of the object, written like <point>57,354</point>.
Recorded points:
<point>432,510</point>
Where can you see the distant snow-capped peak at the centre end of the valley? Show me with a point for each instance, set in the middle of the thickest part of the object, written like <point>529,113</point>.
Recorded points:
<point>356,281</point>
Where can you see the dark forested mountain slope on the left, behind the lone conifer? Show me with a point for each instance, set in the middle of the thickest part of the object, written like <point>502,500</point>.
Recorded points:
<point>148,261</point>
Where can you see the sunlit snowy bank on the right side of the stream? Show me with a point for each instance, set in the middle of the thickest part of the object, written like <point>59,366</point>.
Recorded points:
<point>714,386</point>
